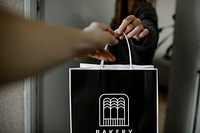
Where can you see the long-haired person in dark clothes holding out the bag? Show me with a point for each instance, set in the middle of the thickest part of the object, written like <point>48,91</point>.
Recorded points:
<point>138,20</point>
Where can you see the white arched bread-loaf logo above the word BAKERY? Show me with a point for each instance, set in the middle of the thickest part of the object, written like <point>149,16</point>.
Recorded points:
<point>113,110</point>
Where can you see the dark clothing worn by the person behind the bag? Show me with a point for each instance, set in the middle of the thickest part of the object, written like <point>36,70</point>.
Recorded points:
<point>143,50</point>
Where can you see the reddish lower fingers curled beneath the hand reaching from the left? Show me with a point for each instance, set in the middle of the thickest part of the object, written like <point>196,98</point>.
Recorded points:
<point>102,55</point>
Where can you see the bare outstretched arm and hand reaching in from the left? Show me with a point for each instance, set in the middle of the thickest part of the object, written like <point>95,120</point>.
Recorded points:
<point>28,47</point>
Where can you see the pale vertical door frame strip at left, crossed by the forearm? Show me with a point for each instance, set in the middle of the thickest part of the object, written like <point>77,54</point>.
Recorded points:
<point>30,83</point>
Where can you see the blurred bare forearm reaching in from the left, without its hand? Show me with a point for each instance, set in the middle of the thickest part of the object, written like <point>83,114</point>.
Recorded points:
<point>32,47</point>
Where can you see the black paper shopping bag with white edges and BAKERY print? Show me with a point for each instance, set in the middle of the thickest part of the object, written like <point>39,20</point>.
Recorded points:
<point>113,100</point>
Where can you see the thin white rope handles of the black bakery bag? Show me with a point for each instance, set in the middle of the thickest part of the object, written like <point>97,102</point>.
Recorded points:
<point>129,51</point>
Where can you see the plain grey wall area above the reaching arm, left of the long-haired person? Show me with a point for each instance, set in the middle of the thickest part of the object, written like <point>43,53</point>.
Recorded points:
<point>76,13</point>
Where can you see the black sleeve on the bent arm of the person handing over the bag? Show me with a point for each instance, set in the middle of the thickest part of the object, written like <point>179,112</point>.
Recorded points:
<point>143,50</point>
